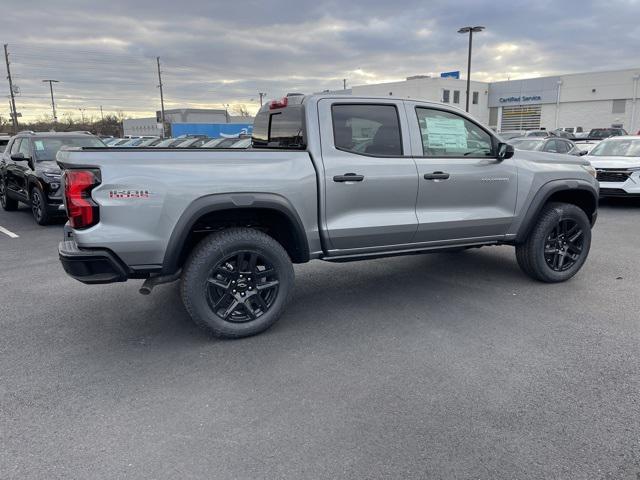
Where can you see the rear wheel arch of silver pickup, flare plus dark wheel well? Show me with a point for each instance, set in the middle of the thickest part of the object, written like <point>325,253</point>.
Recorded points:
<point>271,213</point>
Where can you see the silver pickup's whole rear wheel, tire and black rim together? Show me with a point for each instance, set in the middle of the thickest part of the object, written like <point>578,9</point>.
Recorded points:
<point>237,282</point>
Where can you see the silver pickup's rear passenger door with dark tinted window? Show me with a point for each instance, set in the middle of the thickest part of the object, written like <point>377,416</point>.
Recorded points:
<point>377,209</point>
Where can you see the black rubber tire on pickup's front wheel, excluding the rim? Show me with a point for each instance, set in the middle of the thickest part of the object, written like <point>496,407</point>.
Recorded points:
<point>531,254</point>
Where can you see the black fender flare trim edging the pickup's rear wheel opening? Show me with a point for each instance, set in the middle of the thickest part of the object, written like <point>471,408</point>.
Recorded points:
<point>229,201</point>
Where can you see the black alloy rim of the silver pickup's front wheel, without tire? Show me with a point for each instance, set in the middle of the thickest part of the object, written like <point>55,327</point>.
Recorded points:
<point>564,245</point>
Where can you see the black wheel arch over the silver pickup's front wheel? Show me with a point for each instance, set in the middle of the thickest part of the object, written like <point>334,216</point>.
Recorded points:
<point>577,192</point>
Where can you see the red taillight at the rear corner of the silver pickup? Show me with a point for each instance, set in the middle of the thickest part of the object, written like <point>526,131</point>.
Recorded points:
<point>81,209</point>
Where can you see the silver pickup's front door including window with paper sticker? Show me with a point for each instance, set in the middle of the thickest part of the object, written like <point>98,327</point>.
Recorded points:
<point>463,196</point>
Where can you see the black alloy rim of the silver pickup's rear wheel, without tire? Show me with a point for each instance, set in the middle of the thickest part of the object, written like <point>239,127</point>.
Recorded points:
<point>242,287</point>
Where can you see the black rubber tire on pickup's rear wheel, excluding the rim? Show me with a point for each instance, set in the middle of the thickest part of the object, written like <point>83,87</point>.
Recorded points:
<point>207,256</point>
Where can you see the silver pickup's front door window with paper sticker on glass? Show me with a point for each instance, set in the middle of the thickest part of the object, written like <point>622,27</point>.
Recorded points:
<point>446,134</point>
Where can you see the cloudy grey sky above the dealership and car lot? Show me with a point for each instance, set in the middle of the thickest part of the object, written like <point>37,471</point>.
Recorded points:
<point>225,52</point>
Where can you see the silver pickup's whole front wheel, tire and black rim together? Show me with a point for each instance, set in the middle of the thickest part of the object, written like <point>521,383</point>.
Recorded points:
<point>558,244</point>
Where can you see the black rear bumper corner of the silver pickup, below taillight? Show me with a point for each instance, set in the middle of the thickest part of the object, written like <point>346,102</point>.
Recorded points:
<point>91,266</point>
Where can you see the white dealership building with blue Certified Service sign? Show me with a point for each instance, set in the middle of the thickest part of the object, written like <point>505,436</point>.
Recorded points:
<point>587,100</point>
